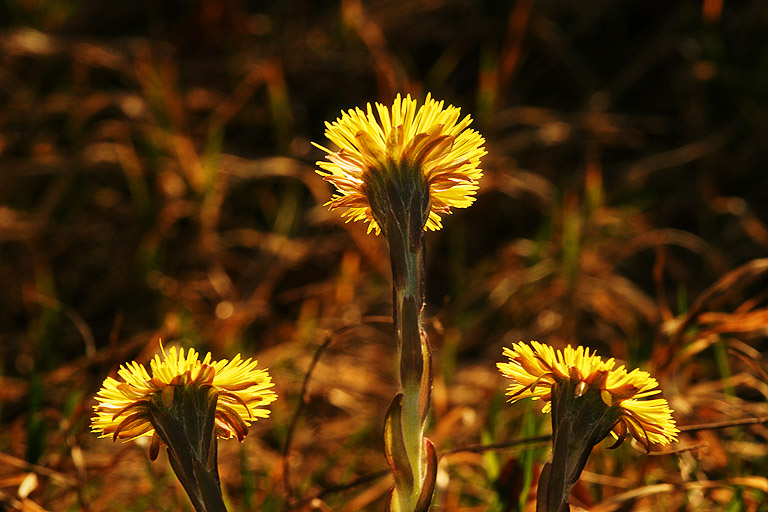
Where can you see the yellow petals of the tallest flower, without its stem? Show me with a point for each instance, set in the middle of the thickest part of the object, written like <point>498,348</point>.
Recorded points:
<point>427,150</point>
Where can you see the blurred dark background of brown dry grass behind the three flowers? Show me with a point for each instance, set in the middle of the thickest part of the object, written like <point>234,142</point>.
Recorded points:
<point>157,181</point>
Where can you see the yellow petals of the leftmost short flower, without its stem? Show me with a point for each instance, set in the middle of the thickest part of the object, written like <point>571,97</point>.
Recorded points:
<point>241,391</point>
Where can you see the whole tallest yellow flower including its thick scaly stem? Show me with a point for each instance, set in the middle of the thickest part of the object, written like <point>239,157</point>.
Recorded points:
<point>400,169</point>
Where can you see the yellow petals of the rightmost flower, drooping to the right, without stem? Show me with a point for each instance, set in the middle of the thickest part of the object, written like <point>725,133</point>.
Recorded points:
<point>535,369</point>
